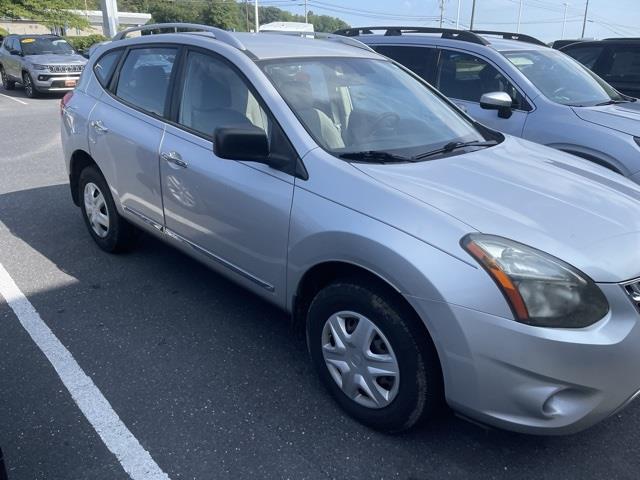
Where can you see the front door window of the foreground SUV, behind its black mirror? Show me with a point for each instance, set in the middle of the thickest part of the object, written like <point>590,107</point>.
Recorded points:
<point>214,95</point>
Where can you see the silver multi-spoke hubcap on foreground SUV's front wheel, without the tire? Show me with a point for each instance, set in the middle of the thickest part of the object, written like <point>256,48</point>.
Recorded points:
<point>360,359</point>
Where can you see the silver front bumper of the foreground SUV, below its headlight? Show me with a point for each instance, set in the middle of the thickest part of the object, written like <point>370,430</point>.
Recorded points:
<point>537,380</point>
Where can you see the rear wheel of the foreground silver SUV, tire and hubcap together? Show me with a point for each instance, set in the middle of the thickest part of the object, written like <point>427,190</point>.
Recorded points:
<point>110,231</point>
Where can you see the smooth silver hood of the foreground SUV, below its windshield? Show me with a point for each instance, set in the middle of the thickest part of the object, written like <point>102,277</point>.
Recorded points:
<point>577,211</point>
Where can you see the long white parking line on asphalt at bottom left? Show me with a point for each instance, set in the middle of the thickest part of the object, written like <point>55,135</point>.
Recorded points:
<point>135,460</point>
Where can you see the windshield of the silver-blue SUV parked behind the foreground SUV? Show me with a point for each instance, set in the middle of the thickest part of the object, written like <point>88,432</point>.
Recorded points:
<point>562,79</point>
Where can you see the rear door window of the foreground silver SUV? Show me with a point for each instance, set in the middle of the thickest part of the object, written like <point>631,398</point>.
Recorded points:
<point>143,80</point>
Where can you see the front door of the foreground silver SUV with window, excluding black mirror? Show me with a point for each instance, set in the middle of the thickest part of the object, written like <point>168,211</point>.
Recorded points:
<point>233,213</point>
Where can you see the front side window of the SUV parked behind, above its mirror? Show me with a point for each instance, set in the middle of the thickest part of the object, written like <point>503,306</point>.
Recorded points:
<point>466,77</point>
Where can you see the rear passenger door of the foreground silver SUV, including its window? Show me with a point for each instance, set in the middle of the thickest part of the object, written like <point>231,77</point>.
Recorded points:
<point>126,128</point>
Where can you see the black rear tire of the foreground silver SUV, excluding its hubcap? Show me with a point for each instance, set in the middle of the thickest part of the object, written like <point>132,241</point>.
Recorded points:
<point>121,235</point>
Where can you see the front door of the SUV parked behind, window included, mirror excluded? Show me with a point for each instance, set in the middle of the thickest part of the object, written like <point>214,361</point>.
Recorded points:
<point>465,77</point>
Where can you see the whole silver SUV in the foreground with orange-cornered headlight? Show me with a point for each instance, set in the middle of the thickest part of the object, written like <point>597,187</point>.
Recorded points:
<point>427,256</point>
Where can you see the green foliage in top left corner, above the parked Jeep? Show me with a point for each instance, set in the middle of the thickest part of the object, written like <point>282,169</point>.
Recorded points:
<point>52,13</point>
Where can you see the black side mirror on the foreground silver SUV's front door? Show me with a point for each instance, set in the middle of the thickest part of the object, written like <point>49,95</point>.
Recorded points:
<point>241,142</point>
